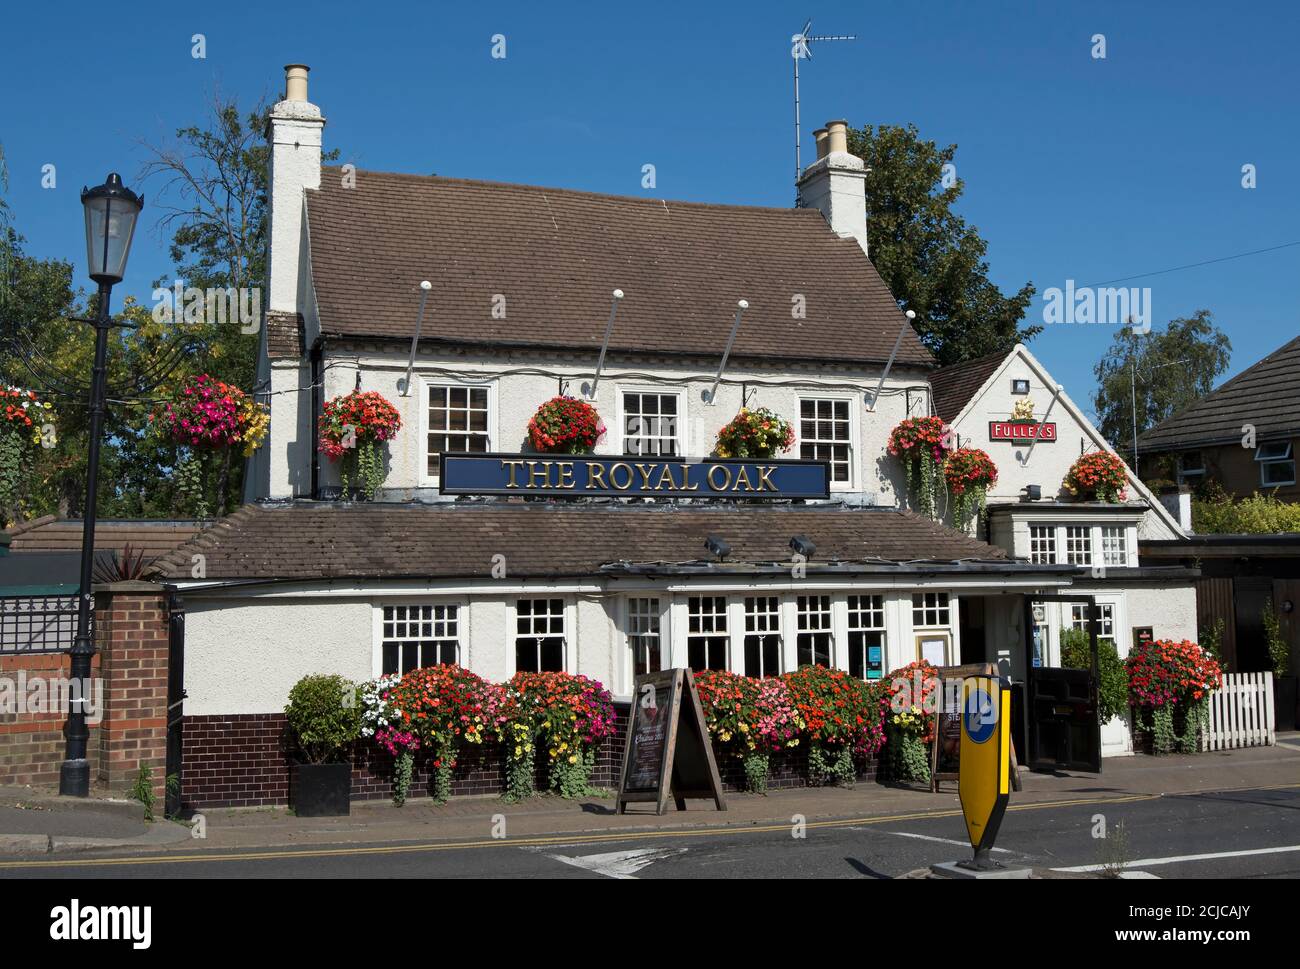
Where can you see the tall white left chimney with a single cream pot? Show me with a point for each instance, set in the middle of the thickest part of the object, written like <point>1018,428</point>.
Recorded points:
<point>294,135</point>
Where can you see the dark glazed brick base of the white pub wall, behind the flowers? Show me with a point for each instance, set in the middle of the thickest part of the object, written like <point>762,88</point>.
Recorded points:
<point>244,762</point>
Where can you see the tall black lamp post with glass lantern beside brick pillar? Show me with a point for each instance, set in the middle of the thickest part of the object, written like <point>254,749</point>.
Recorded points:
<point>111,214</point>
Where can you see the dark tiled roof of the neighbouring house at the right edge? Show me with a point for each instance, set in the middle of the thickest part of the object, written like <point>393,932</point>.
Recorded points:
<point>1267,396</point>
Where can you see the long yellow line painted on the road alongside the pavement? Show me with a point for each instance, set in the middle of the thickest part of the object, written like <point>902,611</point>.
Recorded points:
<point>554,841</point>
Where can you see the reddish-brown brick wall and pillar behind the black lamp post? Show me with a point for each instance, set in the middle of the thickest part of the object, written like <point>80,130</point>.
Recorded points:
<point>131,665</point>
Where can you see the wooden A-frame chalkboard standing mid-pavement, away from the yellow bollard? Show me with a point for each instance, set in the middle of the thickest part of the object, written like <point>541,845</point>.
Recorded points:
<point>668,751</point>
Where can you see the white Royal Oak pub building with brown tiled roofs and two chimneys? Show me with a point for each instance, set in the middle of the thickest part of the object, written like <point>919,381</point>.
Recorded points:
<point>649,553</point>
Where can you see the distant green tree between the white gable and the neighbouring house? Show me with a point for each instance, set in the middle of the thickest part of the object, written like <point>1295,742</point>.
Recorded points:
<point>1167,370</point>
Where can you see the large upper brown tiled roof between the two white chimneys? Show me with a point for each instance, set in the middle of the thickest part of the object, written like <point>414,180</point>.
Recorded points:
<point>556,256</point>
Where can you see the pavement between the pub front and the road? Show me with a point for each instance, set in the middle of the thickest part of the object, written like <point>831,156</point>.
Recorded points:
<point>120,825</point>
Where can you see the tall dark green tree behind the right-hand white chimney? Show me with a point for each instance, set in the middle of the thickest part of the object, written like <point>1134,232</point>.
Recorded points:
<point>930,258</point>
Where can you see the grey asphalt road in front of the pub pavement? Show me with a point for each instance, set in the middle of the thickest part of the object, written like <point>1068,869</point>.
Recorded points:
<point>1240,834</point>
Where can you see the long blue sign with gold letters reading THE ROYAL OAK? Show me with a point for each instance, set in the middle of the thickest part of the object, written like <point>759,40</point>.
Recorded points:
<point>632,477</point>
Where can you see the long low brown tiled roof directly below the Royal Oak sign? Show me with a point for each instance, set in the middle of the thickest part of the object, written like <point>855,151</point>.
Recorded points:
<point>322,540</point>
